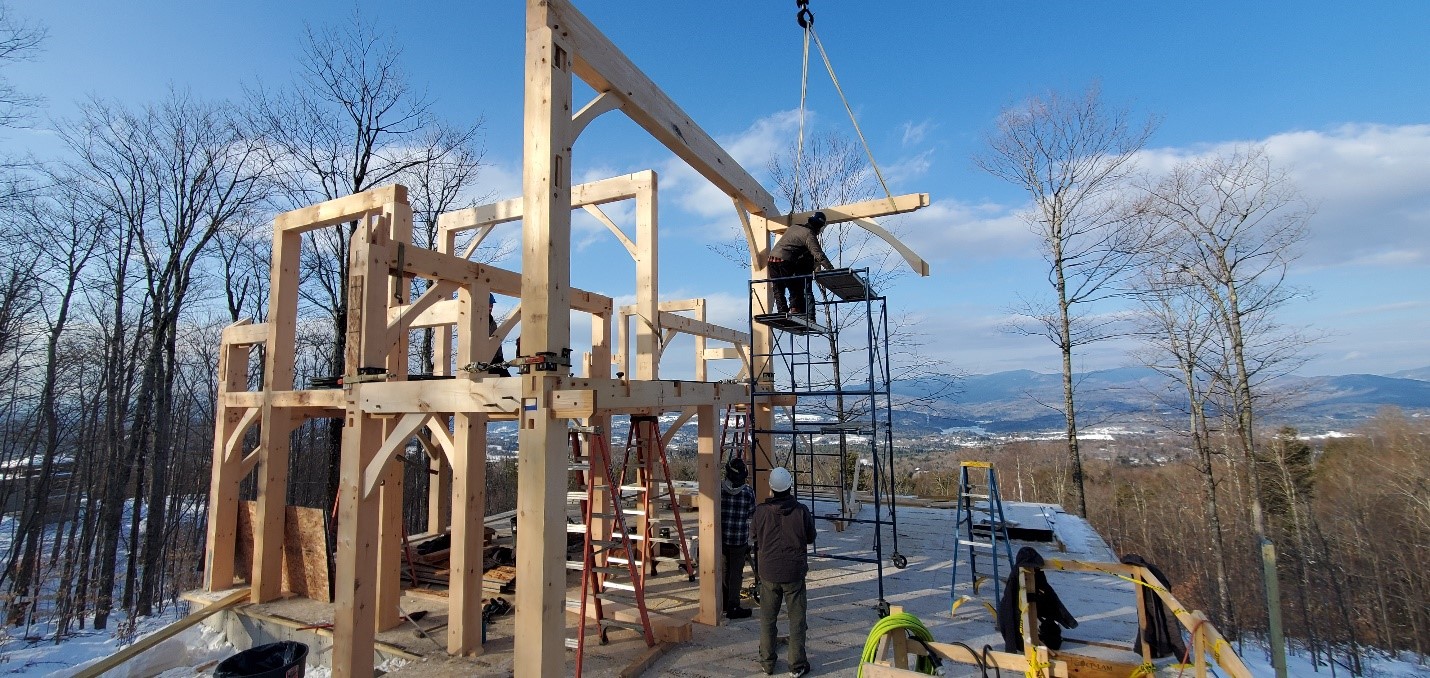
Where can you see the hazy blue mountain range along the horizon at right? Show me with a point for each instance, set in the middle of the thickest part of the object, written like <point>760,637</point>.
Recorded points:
<point>1140,398</point>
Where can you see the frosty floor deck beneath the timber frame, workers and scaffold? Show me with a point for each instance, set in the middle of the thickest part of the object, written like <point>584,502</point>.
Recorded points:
<point>843,609</point>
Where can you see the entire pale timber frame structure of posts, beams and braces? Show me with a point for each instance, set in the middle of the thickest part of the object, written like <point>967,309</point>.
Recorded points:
<point>384,411</point>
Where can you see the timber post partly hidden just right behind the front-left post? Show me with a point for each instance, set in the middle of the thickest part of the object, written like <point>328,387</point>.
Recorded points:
<point>394,358</point>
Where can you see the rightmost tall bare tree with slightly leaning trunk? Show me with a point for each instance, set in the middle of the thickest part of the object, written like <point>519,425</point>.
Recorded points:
<point>1231,227</point>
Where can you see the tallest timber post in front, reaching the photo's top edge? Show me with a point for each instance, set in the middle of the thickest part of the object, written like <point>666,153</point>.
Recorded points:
<point>541,504</point>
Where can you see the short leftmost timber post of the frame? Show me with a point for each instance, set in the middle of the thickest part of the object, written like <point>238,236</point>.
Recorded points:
<point>224,487</point>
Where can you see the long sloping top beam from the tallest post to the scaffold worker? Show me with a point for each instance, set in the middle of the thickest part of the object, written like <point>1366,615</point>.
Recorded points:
<point>606,69</point>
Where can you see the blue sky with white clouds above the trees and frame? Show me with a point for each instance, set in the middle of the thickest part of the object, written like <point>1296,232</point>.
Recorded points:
<point>1338,92</point>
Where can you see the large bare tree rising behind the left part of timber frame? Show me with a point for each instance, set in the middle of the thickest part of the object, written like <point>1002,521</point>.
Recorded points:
<point>352,122</point>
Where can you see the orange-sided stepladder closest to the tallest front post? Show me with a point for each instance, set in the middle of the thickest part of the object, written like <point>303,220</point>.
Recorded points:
<point>608,566</point>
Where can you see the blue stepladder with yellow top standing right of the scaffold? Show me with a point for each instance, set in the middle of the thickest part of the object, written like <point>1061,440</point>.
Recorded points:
<point>982,530</point>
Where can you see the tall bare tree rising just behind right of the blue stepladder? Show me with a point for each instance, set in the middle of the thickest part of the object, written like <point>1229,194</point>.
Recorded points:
<point>1072,155</point>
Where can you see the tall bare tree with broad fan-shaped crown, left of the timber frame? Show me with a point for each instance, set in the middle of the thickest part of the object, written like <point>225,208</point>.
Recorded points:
<point>172,177</point>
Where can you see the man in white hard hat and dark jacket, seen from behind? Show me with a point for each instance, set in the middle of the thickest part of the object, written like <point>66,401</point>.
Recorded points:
<point>784,531</point>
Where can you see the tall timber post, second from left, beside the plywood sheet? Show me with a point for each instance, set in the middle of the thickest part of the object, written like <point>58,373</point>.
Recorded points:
<point>277,424</point>
